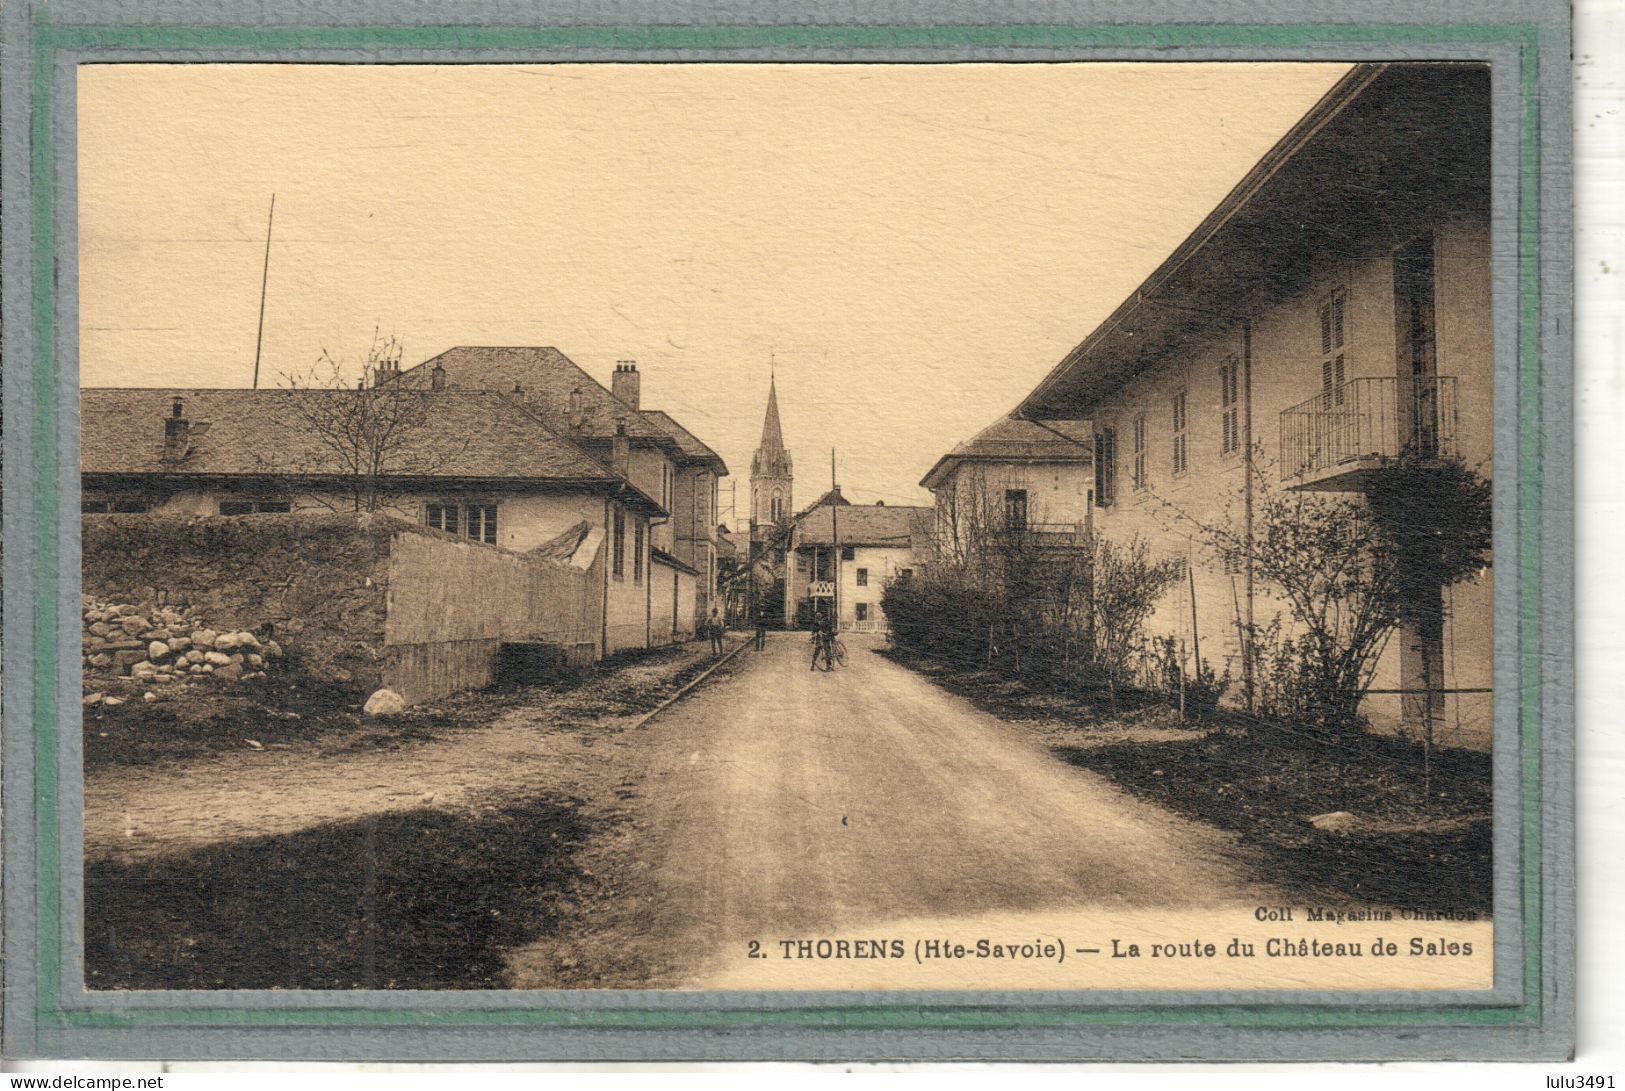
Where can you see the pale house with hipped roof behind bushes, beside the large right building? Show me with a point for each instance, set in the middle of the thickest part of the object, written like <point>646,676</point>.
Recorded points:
<point>1021,476</point>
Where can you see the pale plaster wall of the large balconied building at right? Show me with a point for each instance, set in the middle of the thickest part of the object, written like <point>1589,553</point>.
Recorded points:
<point>1286,373</point>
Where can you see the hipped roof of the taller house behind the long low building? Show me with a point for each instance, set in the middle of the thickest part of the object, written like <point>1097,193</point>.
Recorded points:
<point>545,380</point>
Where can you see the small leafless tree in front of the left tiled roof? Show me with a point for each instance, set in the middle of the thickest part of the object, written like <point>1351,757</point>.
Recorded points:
<point>368,430</point>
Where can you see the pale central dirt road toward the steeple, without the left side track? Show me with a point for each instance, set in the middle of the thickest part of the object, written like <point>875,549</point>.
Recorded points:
<point>791,802</point>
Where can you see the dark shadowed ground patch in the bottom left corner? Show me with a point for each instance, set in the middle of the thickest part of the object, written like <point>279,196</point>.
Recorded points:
<point>417,900</point>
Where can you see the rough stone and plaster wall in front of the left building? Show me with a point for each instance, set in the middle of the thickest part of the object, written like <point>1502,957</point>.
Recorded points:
<point>358,601</point>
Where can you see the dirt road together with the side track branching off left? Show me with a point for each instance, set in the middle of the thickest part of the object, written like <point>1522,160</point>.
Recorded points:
<point>771,802</point>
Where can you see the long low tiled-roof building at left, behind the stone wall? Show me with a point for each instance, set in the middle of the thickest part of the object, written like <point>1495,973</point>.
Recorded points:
<point>472,464</point>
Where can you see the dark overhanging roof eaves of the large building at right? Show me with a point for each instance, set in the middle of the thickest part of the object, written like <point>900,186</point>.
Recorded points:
<point>1380,159</point>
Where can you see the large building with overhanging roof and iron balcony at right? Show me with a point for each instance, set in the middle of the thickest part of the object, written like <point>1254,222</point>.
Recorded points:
<point>1327,319</point>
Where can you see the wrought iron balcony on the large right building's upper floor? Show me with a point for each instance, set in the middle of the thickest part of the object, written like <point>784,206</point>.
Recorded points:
<point>1341,437</point>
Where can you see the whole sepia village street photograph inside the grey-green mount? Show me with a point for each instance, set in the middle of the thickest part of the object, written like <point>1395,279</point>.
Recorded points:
<point>787,526</point>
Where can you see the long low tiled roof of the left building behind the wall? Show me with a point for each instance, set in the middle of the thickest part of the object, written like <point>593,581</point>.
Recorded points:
<point>459,435</point>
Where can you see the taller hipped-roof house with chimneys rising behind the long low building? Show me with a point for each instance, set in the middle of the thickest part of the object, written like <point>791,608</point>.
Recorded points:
<point>667,461</point>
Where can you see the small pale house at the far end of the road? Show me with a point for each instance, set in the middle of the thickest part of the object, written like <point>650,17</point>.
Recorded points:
<point>844,555</point>
